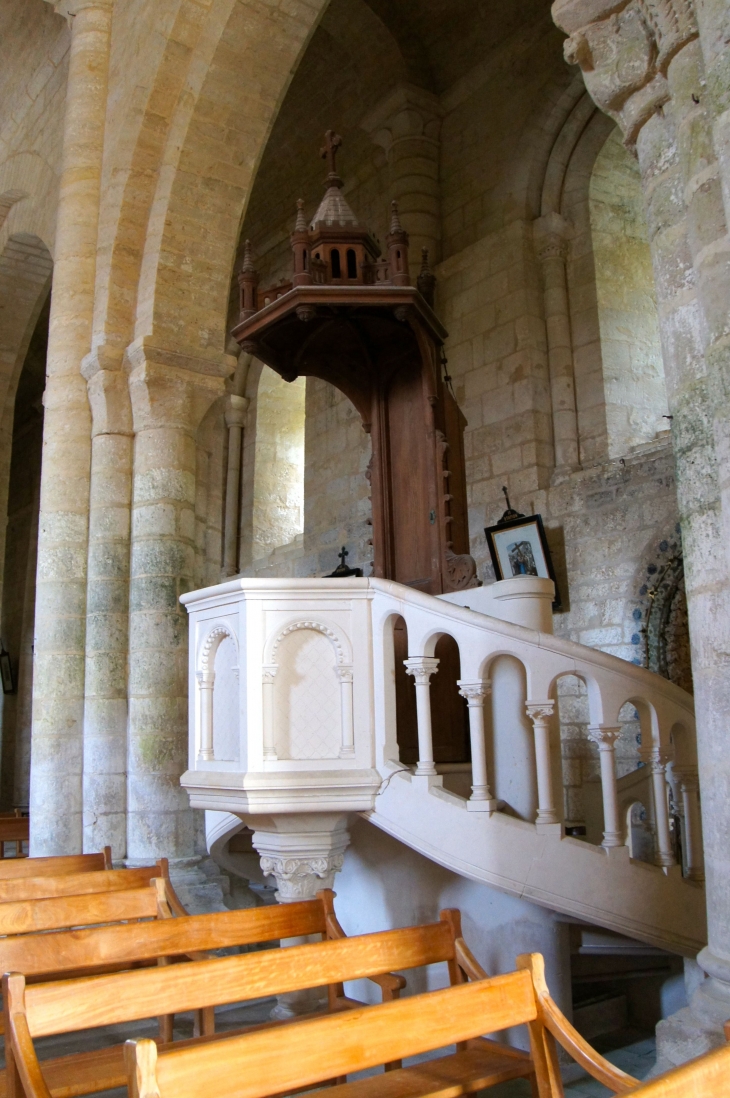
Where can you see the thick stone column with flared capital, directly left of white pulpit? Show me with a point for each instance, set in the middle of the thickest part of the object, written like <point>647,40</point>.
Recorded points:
<point>171,395</point>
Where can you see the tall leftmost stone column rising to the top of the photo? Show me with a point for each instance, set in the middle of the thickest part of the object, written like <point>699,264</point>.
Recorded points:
<point>57,754</point>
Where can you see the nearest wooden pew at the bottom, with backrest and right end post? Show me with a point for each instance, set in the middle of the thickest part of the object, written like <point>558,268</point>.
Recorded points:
<point>253,1066</point>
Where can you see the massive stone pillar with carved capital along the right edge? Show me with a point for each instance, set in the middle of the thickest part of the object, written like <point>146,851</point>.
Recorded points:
<point>642,68</point>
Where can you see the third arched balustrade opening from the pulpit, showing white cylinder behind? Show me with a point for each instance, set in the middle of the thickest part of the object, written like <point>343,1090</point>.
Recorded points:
<point>511,760</point>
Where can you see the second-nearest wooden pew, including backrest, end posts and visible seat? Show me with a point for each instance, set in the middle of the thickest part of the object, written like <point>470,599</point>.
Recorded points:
<point>44,1010</point>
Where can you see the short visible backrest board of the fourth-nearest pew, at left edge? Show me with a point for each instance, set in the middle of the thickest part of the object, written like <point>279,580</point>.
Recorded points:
<point>29,917</point>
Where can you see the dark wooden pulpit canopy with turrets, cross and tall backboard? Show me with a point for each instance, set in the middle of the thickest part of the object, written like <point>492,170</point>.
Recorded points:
<point>354,320</point>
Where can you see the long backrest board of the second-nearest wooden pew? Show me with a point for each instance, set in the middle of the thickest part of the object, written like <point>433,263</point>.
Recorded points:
<point>104,1001</point>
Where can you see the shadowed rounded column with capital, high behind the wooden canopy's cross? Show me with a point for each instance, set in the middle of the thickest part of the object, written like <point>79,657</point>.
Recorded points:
<point>407,125</point>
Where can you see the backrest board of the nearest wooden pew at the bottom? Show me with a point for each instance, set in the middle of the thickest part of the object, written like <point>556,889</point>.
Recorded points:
<point>253,1066</point>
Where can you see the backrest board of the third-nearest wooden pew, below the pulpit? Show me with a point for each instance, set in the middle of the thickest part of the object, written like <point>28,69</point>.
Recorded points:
<point>71,950</point>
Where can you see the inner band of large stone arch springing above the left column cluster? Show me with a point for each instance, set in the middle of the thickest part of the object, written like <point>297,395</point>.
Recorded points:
<point>243,64</point>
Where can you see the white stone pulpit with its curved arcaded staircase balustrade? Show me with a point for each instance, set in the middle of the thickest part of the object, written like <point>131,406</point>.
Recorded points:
<point>294,716</point>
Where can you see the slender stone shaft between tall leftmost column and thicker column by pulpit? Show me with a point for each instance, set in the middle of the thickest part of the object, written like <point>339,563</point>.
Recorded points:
<point>108,606</point>
